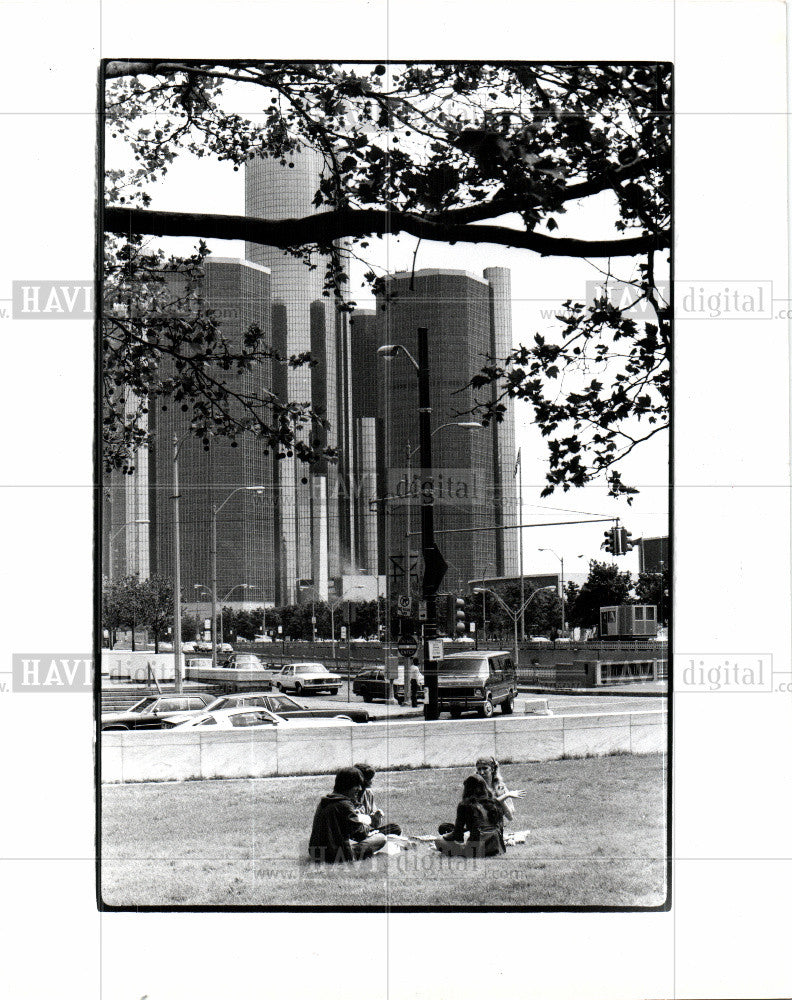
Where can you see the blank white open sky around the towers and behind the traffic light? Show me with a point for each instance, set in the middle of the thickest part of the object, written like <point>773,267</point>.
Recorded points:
<point>539,286</point>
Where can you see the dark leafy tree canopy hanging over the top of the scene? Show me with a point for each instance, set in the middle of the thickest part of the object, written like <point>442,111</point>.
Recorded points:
<point>464,152</point>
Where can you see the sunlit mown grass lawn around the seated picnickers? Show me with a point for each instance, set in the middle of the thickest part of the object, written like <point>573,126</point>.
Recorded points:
<point>597,838</point>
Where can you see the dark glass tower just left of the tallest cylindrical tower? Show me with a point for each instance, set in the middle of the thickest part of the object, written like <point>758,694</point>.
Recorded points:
<point>240,479</point>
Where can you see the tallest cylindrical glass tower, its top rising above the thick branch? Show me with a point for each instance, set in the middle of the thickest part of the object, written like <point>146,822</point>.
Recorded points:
<point>318,542</point>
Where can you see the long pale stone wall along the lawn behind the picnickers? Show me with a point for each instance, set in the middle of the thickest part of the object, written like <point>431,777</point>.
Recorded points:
<point>168,755</point>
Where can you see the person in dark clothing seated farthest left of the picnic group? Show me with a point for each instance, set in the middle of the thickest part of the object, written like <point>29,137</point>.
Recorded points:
<point>338,834</point>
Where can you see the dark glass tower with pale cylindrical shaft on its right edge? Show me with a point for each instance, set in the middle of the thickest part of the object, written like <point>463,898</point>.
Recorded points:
<point>469,320</point>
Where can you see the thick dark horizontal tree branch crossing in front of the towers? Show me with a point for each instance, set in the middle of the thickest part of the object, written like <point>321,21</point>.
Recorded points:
<point>324,227</point>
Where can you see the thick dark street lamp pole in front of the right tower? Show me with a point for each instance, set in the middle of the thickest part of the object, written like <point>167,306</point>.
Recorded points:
<point>434,564</point>
